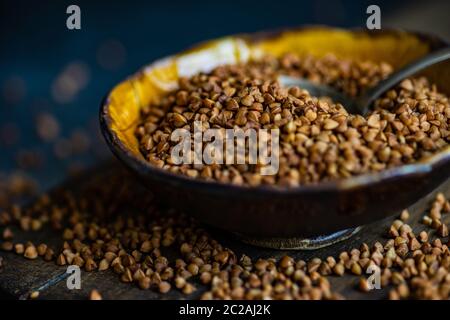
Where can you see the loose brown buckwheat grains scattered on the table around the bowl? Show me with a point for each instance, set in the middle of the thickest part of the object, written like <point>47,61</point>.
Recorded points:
<point>116,226</point>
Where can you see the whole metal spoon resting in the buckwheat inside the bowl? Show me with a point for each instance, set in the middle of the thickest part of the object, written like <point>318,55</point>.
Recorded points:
<point>361,104</point>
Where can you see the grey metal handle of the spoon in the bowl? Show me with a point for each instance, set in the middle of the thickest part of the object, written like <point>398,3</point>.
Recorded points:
<point>409,70</point>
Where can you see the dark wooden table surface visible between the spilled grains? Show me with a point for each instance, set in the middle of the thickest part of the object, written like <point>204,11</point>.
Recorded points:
<point>19,276</point>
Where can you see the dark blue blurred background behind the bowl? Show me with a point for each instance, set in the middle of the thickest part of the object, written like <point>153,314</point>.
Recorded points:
<point>52,79</point>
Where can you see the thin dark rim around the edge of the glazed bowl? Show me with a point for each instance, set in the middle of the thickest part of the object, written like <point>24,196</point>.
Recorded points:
<point>421,167</point>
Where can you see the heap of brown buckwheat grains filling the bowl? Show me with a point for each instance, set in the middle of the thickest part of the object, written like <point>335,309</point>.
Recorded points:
<point>319,140</point>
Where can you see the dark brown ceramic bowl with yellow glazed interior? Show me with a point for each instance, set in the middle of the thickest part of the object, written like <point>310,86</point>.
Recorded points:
<point>304,211</point>
